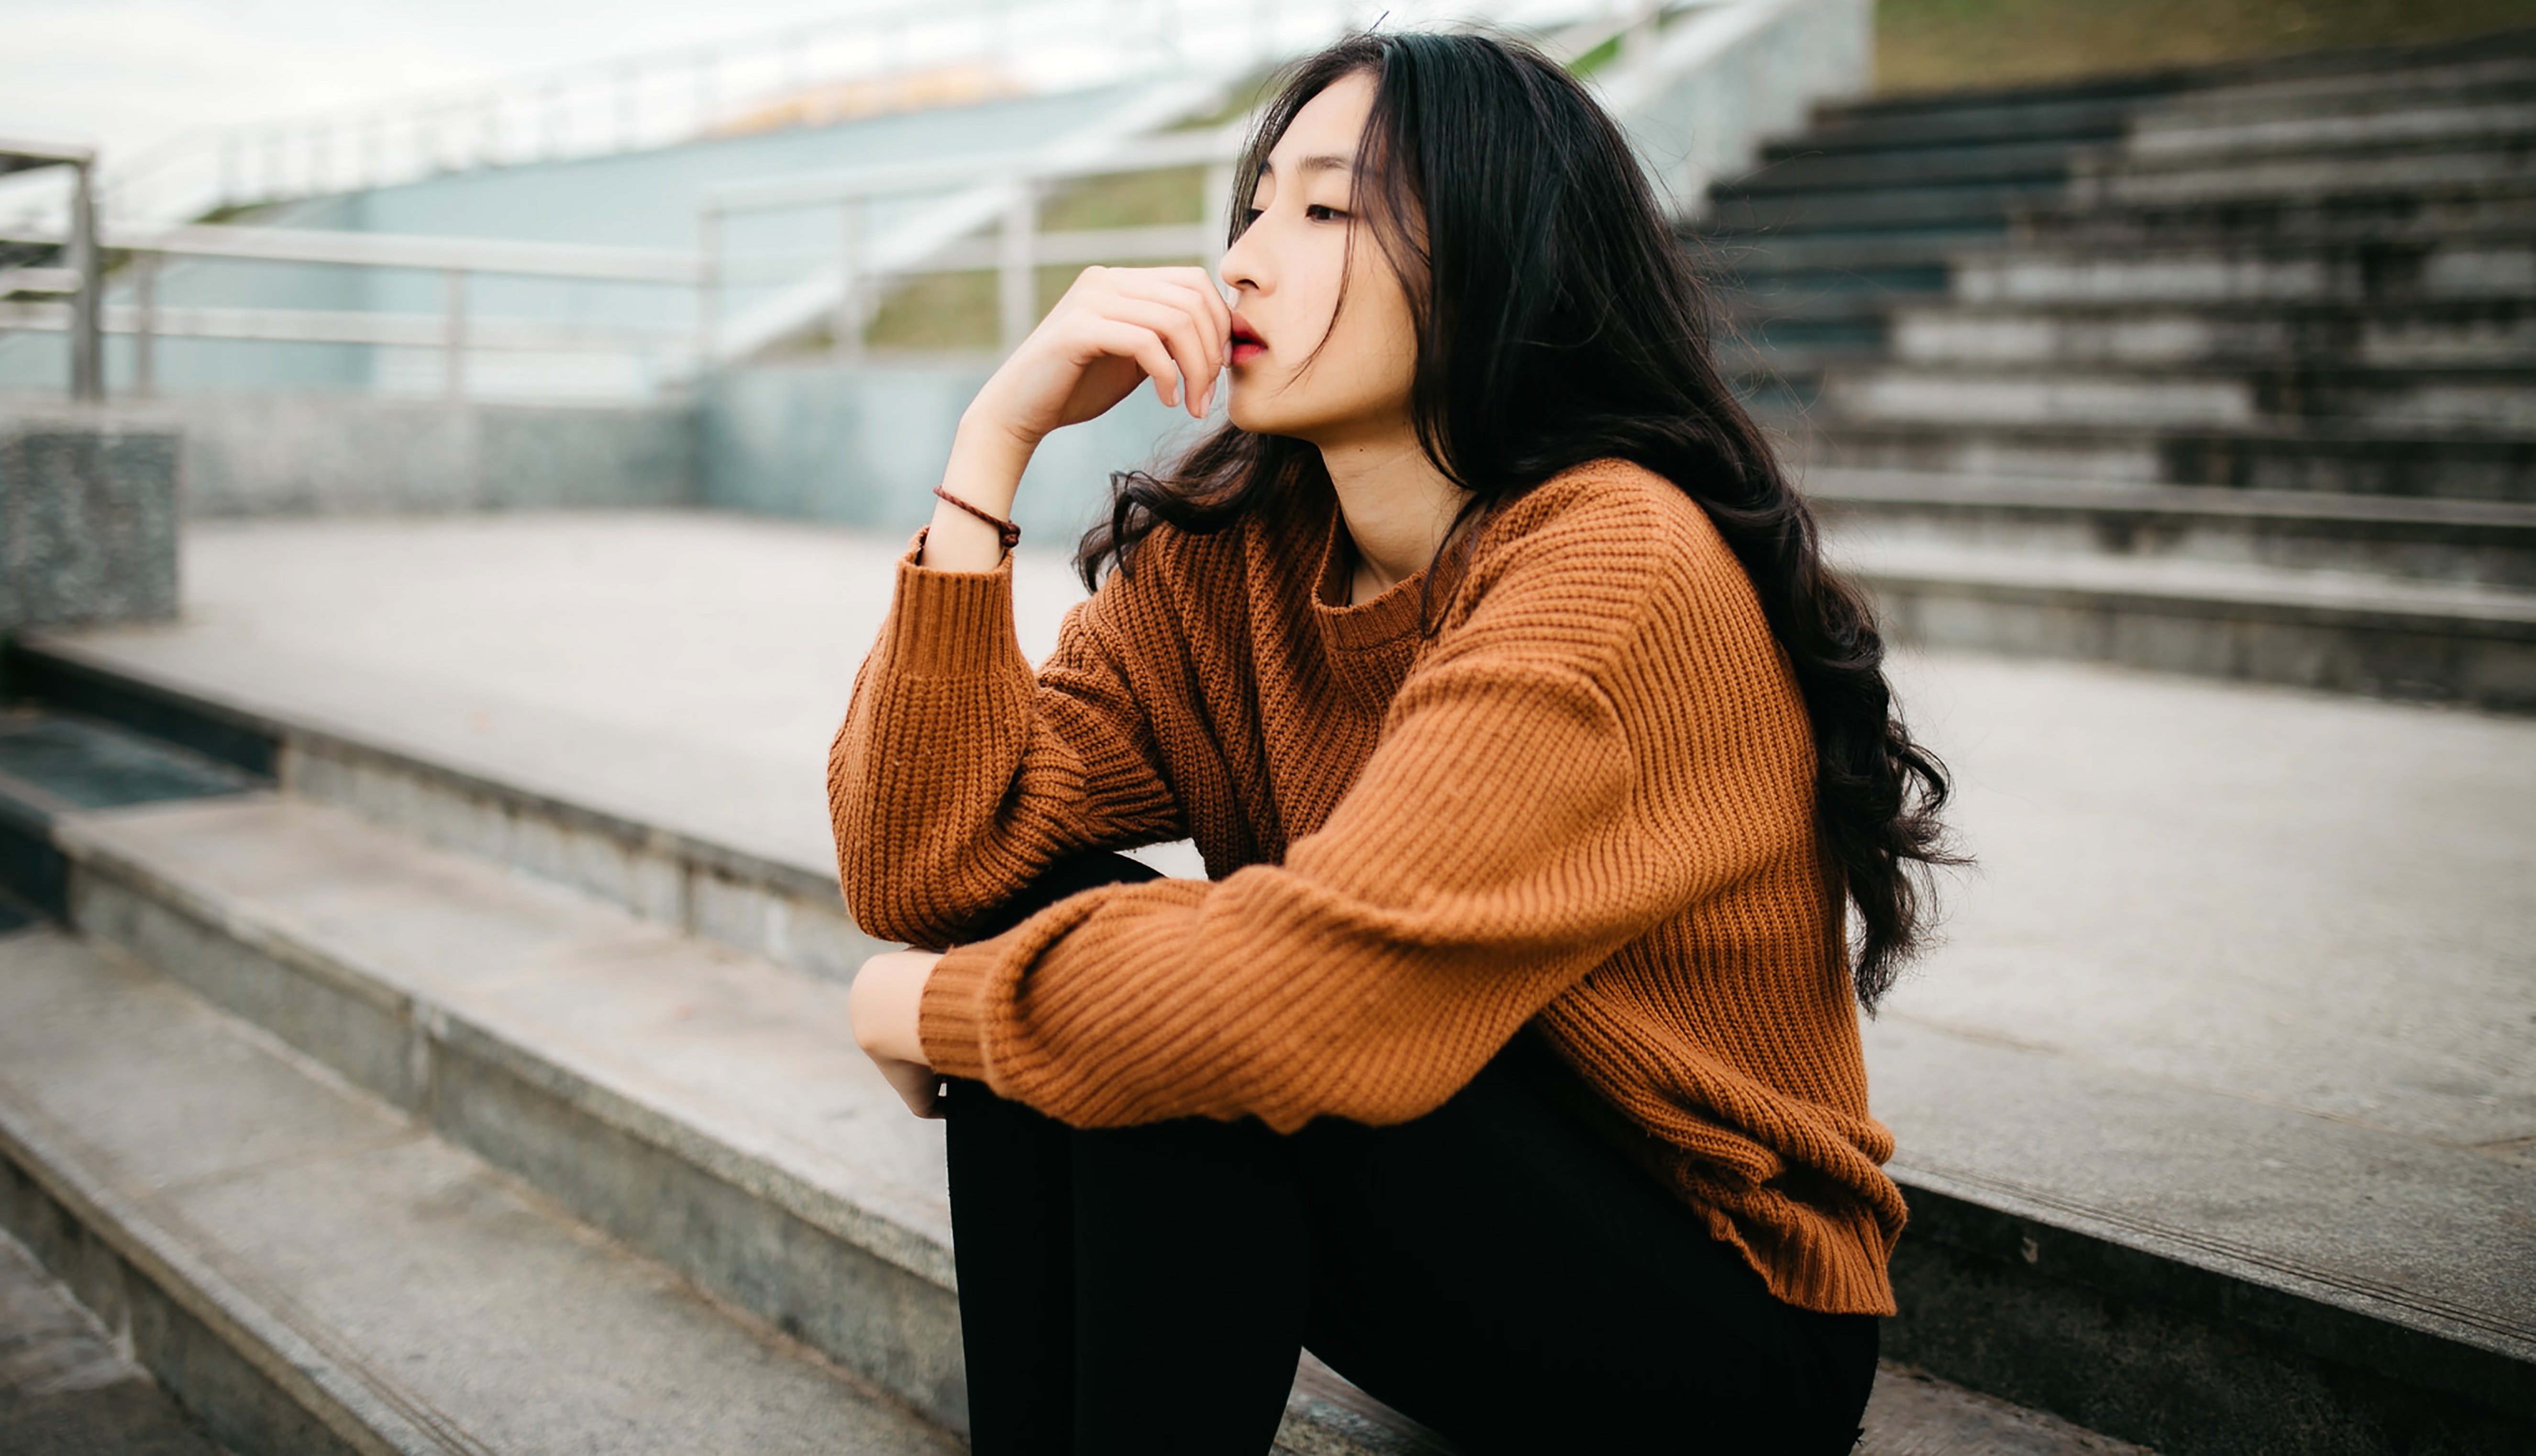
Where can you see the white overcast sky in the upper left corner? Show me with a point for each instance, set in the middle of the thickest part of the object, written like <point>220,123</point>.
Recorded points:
<point>128,75</point>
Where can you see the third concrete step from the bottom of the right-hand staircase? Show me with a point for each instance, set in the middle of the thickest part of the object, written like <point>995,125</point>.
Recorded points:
<point>2312,455</point>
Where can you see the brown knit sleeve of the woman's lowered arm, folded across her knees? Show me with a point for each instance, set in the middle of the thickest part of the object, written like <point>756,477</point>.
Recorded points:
<point>1503,841</point>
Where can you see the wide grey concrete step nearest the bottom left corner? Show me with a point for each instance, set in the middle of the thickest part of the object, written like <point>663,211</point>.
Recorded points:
<point>306,1270</point>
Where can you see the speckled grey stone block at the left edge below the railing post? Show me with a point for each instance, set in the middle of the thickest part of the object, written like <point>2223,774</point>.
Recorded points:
<point>87,521</point>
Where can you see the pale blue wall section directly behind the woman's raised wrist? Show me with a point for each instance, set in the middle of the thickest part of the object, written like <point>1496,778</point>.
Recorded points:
<point>866,445</point>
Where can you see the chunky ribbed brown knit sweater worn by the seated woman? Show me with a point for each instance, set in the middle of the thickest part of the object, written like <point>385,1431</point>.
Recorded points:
<point>1584,803</point>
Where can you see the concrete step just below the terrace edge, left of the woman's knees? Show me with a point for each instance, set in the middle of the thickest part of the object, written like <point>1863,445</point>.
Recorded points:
<point>734,1062</point>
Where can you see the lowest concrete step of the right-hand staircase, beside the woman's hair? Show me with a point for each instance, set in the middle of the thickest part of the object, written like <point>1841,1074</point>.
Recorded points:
<point>2345,633</point>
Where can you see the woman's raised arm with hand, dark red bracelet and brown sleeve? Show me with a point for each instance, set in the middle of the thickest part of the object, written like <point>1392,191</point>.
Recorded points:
<point>960,772</point>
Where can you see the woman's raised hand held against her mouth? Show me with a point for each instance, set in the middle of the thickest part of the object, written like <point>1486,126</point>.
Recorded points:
<point>1112,331</point>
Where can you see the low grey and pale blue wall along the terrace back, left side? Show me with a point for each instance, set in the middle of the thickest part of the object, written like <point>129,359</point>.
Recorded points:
<point>820,443</point>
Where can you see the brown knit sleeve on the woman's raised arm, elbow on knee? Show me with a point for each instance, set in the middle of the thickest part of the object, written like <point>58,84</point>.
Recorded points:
<point>960,775</point>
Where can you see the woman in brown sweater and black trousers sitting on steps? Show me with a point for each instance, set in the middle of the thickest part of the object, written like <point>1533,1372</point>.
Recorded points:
<point>1508,1059</point>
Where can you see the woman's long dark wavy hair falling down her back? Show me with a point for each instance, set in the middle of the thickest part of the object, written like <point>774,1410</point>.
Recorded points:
<point>1558,323</point>
